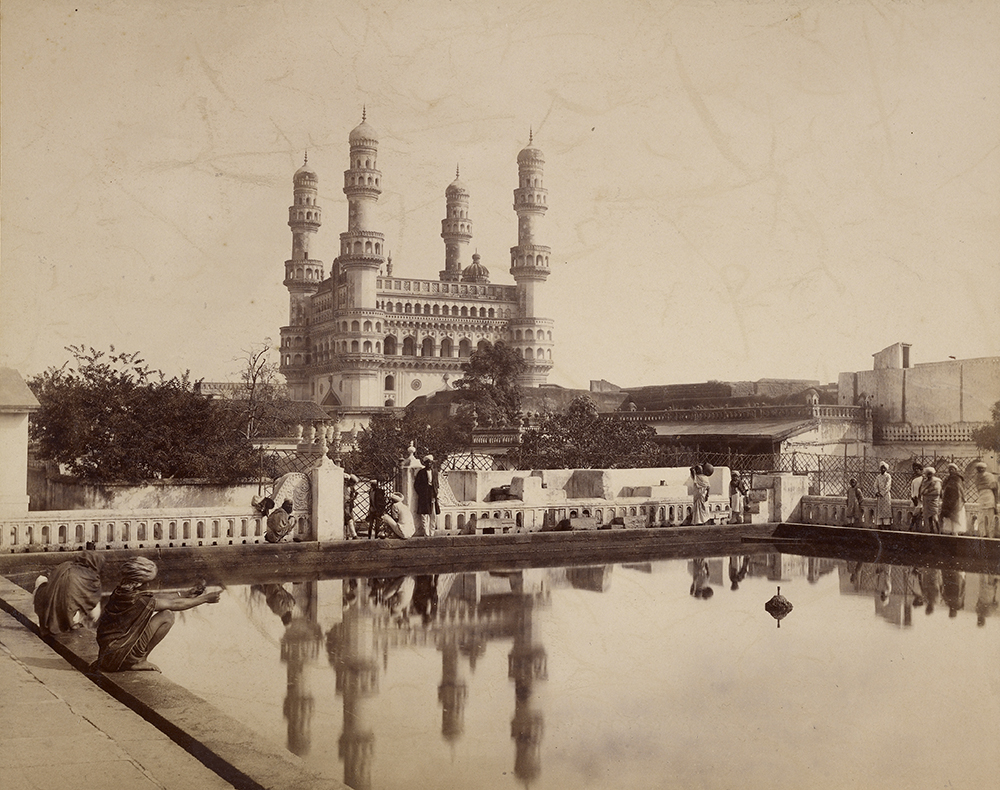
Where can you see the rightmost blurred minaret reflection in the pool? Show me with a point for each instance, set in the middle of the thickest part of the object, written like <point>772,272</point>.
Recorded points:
<point>526,663</point>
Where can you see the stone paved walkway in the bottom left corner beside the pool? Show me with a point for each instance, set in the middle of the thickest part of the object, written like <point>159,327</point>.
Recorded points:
<point>62,732</point>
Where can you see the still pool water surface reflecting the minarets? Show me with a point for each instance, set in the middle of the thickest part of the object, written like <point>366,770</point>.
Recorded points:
<point>614,676</point>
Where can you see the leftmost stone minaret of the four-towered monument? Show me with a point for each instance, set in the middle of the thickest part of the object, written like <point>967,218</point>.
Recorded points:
<point>302,278</point>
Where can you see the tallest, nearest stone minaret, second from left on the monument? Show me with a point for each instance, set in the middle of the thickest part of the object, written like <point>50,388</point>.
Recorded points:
<point>362,254</point>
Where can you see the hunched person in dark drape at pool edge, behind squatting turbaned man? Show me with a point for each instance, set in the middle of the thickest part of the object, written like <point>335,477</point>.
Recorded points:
<point>70,596</point>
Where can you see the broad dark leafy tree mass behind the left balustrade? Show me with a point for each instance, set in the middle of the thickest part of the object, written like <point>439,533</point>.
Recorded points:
<point>109,418</point>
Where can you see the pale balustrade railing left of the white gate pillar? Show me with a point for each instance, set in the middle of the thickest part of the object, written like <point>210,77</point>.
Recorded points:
<point>68,530</point>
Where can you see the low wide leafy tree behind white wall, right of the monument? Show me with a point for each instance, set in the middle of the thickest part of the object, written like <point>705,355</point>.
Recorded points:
<point>581,439</point>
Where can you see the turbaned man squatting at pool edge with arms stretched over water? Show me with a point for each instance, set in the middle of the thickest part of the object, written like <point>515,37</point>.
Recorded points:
<point>135,621</point>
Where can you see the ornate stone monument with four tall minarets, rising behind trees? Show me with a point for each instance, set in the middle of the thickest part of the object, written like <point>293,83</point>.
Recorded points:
<point>362,338</point>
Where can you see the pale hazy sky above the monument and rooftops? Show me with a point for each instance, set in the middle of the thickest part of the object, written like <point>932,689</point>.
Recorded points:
<point>736,189</point>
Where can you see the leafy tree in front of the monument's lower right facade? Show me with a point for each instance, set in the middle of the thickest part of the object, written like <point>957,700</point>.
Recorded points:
<point>490,385</point>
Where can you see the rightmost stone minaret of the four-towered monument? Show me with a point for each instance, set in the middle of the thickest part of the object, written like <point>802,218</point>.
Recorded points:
<point>529,265</point>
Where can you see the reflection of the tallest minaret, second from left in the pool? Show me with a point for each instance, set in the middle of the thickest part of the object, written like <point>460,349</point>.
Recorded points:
<point>351,648</point>
